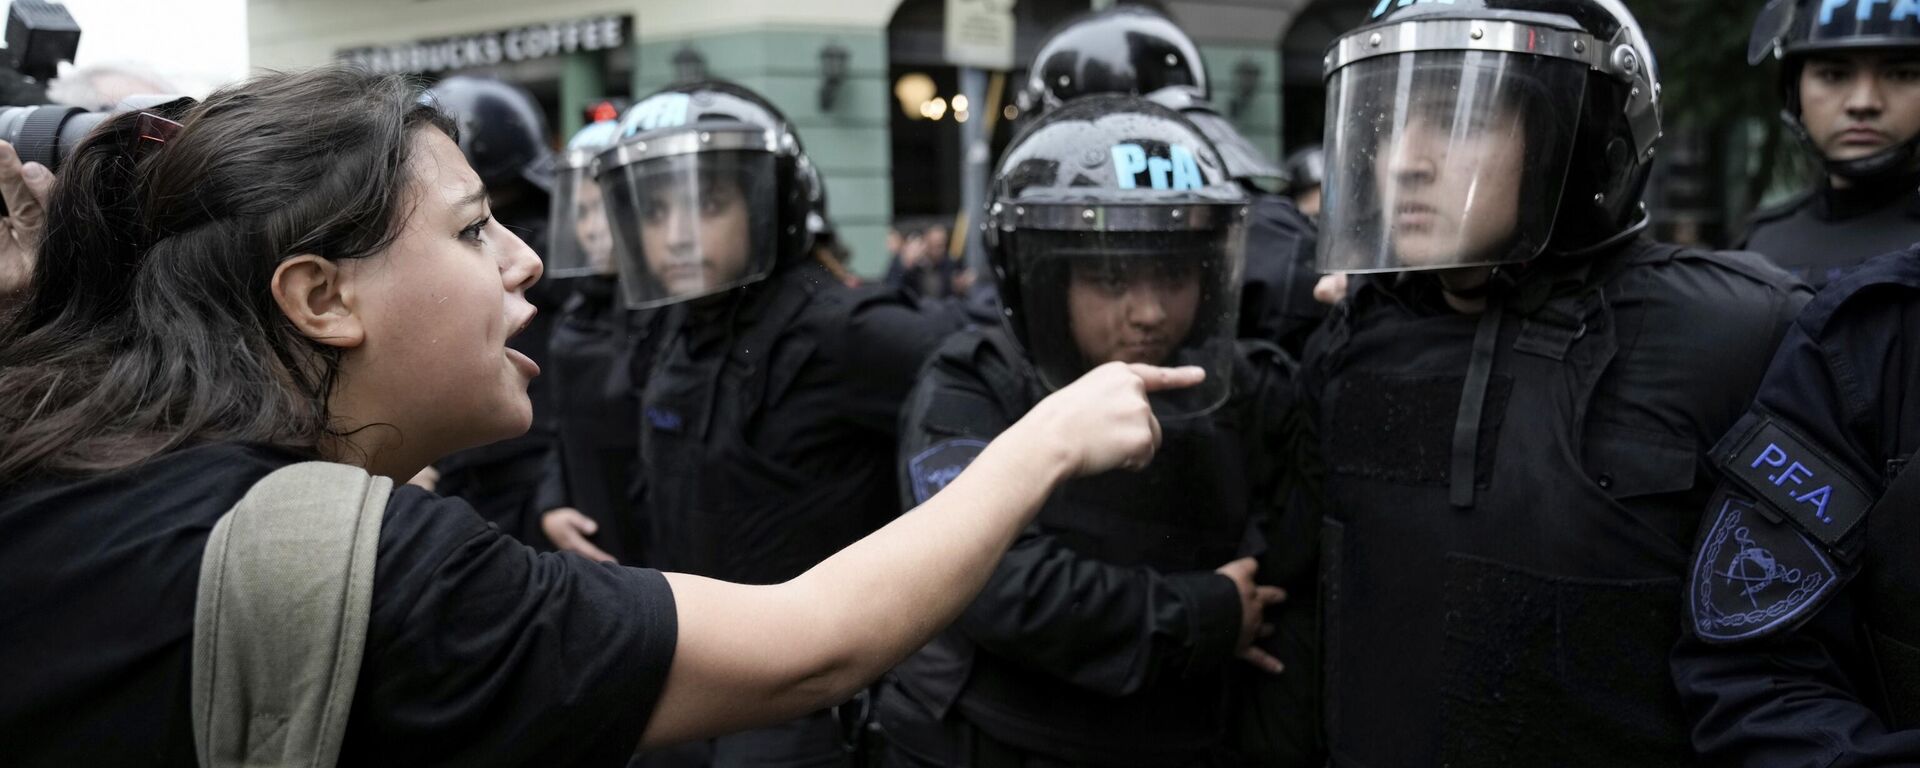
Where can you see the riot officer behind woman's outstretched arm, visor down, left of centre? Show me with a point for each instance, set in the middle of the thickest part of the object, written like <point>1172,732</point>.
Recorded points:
<point>769,414</point>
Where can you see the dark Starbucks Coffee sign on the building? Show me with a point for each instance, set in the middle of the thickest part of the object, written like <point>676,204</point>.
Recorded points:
<point>498,47</point>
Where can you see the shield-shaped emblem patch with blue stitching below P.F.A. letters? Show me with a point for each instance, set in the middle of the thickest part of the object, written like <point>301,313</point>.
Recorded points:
<point>1756,577</point>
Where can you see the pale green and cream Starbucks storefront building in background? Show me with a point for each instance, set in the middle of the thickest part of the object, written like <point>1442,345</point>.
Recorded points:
<point>828,64</point>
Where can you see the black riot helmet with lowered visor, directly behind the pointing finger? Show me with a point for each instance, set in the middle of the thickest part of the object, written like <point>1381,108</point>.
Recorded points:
<point>1116,235</point>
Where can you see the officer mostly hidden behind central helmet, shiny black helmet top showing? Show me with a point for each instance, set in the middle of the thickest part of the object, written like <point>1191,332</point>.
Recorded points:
<point>1138,51</point>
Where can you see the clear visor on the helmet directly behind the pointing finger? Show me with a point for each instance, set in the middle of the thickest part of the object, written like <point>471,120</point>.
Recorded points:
<point>1134,297</point>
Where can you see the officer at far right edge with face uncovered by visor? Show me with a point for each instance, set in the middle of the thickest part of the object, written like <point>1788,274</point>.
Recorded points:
<point>1850,84</point>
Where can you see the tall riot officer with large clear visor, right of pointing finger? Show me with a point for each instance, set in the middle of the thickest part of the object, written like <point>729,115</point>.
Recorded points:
<point>1514,402</point>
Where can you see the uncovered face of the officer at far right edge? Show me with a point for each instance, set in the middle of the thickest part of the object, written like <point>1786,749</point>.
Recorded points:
<point>1860,105</point>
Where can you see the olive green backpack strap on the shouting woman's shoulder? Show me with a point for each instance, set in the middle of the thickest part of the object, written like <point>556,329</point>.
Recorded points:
<point>281,623</point>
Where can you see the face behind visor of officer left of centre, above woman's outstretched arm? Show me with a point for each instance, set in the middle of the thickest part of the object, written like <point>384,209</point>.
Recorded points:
<point>696,241</point>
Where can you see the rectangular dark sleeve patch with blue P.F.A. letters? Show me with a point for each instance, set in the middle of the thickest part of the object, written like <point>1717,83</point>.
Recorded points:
<point>1800,481</point>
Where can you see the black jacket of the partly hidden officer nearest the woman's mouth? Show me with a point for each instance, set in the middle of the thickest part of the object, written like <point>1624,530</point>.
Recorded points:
<point>596,406</point>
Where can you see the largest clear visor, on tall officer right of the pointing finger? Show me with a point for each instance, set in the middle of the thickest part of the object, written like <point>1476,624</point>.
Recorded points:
<point>1447,158</point>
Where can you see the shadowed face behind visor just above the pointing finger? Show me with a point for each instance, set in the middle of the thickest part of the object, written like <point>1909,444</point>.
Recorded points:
<point>1132,310</point>
